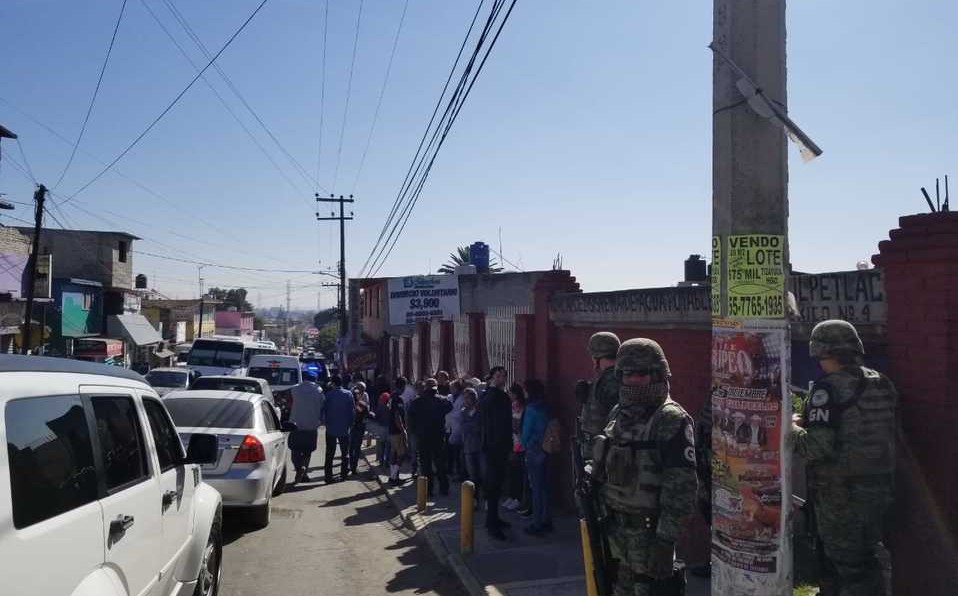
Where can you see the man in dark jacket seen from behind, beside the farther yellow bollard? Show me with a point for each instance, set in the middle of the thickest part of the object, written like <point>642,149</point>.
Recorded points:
<point>428,414</point>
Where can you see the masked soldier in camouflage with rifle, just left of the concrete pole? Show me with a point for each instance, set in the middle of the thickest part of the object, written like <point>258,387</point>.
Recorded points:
<point>645,462</point>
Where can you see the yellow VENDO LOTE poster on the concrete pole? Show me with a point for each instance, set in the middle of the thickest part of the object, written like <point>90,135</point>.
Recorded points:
<point>756,276</point>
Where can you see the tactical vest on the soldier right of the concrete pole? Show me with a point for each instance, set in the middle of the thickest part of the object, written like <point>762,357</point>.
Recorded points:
<point>865,438</point>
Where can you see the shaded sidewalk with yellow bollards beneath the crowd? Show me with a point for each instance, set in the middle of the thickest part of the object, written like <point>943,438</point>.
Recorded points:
<point>521,566</point>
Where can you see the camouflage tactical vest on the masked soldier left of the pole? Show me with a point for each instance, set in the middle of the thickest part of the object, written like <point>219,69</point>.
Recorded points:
<point>632,470</point>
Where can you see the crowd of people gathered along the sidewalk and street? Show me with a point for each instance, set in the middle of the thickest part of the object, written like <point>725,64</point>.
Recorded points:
<point>445,429</point>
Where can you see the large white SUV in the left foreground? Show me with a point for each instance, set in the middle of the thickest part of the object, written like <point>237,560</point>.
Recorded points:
<point>97,497</point>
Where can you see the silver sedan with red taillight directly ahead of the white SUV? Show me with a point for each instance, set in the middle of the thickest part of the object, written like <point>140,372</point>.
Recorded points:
<point>250,467</point>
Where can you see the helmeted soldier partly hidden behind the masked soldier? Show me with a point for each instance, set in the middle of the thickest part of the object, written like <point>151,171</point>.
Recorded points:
<point>603,391</point>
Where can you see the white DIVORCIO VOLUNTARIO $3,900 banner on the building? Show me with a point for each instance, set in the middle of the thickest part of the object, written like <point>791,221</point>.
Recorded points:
<point>423,297</point>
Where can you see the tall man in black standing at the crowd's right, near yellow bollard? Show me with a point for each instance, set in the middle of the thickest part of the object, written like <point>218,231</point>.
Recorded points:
<point>495,411</point>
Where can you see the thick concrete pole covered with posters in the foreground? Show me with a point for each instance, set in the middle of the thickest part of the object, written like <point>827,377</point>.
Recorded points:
<point>752,552</point>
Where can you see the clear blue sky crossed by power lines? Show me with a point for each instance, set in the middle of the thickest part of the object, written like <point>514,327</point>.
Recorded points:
<point>588,133</point>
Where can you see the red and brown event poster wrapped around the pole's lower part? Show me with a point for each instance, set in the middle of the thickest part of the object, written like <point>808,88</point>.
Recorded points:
<point>749,548</point>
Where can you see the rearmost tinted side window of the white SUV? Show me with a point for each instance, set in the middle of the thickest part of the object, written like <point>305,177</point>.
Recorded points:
<point>51,458</point>
